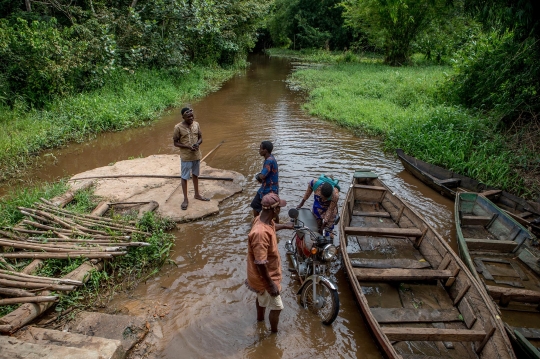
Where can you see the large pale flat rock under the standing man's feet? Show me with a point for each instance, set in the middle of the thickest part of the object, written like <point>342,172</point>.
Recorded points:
<point>159,189</point>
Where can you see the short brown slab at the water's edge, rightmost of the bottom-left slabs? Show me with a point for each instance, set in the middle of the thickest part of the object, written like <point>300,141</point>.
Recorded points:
<point>127,329</point>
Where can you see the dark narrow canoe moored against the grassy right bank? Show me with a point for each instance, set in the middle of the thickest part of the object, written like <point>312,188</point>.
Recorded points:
<point>447,183</point>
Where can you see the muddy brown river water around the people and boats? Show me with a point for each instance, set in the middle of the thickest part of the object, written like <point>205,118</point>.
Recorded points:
<point>211,313</point>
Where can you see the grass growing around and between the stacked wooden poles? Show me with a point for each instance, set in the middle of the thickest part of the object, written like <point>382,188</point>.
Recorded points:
<point>120,274</point>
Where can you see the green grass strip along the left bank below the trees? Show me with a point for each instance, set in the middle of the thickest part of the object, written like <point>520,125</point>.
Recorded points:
<point>126,100</point>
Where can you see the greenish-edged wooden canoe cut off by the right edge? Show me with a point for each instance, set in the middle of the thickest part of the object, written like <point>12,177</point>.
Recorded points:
<point>499,248</point>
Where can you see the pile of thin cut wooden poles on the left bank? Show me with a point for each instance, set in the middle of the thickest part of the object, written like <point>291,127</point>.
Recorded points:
<point>49,231</point>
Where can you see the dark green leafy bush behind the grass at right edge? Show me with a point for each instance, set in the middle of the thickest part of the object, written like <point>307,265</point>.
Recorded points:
<point>496,72</point>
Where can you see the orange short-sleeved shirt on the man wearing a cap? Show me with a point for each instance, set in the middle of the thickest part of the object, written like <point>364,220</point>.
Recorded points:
<point>263,249</point>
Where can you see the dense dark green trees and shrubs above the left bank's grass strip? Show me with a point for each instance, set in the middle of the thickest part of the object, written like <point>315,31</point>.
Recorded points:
<point>51,48</point>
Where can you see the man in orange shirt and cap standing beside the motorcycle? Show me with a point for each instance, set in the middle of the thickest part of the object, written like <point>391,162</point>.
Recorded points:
<point>264,261</point>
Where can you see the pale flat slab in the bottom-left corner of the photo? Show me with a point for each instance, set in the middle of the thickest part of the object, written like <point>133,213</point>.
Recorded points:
<point>13,348</point>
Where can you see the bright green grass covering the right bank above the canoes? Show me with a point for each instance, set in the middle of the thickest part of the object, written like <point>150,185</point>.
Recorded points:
<point>406,107</point>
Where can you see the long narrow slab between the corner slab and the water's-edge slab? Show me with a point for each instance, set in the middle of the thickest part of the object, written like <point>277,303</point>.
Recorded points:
<point>105,348</point>
